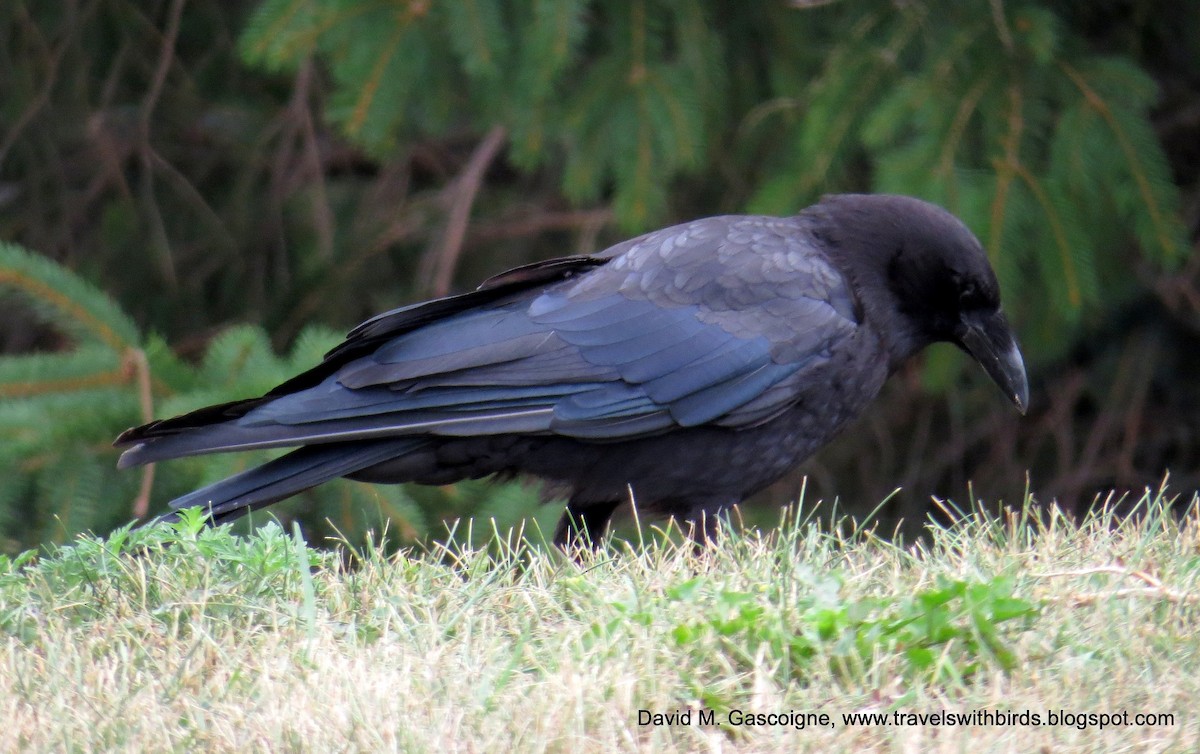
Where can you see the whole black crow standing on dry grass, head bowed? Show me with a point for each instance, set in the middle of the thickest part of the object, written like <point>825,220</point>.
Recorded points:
<point>689,368</point>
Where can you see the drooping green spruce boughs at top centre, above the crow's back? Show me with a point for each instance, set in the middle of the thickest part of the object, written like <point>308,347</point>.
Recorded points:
<point>623,89</point>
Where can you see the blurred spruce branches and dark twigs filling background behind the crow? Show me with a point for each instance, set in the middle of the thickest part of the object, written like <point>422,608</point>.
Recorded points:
<point>197,196</point>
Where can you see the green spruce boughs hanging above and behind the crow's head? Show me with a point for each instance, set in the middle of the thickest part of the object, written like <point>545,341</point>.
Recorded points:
<point>1043,148</point>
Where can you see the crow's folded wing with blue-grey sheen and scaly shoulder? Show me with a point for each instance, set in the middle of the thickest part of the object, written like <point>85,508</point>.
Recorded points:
<point>686,327</point>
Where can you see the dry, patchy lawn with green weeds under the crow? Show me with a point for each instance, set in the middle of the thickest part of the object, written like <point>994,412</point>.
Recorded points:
<point>182,639</point>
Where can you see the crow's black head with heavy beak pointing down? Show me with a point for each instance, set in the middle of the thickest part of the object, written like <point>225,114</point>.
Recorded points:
<point>921,277</point>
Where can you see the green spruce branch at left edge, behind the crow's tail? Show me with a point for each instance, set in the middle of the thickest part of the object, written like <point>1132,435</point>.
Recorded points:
<point>57,408</point>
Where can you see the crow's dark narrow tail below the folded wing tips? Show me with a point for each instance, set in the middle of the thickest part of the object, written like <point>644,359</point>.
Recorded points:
<point>298,471</point>
